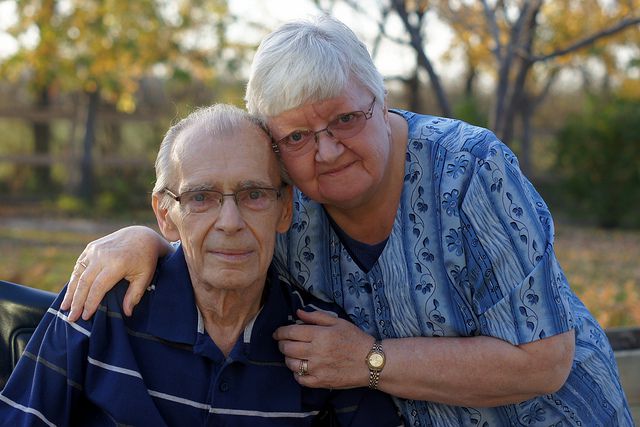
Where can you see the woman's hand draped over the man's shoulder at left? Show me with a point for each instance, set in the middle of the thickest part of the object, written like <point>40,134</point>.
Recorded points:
<point>130,253</point>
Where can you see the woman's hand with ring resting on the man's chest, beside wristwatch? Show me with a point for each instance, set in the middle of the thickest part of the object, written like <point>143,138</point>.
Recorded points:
<point>335,351</point>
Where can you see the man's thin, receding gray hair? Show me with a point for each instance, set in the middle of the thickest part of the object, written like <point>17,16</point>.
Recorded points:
<point>212,122</point>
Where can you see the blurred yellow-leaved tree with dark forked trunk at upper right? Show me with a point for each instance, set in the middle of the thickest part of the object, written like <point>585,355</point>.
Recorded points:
<point>528,43</point>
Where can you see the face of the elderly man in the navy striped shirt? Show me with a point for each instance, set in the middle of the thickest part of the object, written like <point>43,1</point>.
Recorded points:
<point>229,247</point>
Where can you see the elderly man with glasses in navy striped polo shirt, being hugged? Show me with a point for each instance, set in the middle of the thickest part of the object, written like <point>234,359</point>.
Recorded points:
<point>199,350</point>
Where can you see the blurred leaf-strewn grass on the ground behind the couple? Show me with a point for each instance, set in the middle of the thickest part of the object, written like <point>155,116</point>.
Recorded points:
<point>602,266</point>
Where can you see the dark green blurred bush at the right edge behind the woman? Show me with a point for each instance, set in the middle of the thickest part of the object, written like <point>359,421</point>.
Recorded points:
<point>598,160</point>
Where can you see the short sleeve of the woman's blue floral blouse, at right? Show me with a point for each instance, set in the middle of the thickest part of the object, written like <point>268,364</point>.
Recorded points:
<point>519,292</point>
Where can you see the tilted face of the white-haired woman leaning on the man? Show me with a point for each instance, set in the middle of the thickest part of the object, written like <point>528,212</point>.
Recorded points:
<point>343,172</point>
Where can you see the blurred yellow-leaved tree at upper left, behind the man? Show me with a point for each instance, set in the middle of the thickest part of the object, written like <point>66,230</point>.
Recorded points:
<point>103,48</point>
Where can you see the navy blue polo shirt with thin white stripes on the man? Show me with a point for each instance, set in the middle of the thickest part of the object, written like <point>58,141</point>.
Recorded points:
<point>159,367</point>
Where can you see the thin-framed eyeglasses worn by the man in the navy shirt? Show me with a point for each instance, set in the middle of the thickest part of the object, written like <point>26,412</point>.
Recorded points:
<point>253,199</point>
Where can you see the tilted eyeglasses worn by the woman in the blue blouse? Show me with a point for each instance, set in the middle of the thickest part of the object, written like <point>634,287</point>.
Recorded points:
<point>344,126</point>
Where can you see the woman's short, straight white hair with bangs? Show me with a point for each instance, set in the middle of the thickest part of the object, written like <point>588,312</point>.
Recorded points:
<point>308,61</point>
